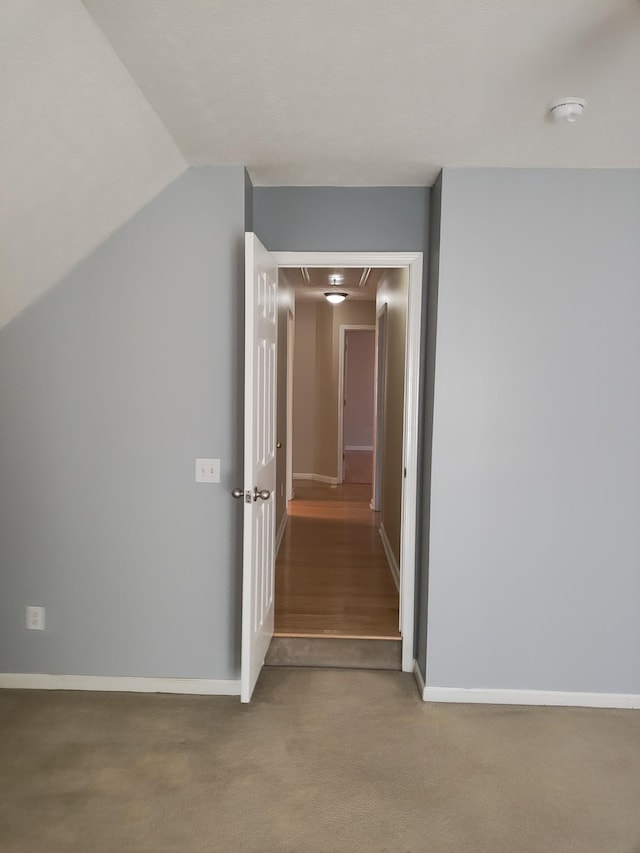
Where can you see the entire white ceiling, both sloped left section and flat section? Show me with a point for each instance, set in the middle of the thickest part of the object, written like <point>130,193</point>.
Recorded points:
<point>302,92</point>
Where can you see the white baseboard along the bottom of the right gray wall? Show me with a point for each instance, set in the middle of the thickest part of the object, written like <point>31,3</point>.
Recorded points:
<point>561,698</point>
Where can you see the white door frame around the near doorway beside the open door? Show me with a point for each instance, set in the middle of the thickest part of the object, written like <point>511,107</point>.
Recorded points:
<point>408,544</point>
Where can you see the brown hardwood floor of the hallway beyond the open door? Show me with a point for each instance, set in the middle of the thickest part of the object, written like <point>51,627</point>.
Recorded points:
<point>332,575</point>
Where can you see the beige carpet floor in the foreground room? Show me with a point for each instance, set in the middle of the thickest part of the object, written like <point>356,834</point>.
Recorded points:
<point>322,760</point>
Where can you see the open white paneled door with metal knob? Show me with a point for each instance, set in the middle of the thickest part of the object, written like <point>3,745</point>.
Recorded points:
<point>261,317</point>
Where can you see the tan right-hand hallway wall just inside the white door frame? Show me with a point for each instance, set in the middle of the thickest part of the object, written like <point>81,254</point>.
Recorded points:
<point>393,290</point>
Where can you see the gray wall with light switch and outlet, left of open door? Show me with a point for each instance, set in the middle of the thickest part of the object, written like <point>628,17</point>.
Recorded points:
<point>110,386</point>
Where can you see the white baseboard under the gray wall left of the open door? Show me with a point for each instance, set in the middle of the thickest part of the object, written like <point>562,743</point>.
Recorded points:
<point>119,684</point>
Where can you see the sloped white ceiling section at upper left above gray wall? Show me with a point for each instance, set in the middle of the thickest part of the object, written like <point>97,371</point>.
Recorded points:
<point>81,149</point>
